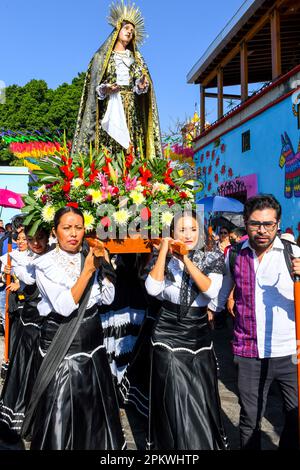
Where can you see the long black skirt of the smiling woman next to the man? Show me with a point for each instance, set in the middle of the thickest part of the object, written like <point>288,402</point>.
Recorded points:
<point>185,411</point>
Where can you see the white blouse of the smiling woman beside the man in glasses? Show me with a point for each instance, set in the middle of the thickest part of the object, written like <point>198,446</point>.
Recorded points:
<point>170,290</point>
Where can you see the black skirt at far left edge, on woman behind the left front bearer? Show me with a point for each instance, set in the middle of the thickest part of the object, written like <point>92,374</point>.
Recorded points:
<point>21,372</point>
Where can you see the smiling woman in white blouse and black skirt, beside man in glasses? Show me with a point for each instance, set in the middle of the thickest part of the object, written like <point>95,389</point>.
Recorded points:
<point>184,400</point>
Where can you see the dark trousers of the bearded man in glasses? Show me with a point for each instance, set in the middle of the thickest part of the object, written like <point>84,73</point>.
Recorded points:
<point>254,379</point>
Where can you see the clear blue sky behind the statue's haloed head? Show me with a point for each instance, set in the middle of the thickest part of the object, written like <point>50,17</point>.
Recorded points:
<point>53,40</point>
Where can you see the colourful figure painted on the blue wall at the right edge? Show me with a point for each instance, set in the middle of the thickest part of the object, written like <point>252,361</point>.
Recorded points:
<point>291,161</point>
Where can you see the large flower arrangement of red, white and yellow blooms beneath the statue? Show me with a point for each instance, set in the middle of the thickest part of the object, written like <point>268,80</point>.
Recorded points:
<point>116,194</point>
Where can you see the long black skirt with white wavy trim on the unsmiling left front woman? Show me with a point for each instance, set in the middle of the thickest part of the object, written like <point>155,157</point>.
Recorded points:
<point>79,408</point>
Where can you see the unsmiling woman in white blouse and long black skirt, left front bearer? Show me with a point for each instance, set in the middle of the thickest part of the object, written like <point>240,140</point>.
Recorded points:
<point>74,403</point>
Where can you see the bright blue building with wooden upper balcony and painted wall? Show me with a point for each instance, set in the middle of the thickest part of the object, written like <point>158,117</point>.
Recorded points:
<point>255,147</point>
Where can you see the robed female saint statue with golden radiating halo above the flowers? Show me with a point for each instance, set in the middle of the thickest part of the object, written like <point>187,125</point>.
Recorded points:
<point>118,106</point>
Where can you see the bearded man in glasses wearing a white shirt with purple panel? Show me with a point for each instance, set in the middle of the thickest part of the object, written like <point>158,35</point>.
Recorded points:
<point>264,344</point>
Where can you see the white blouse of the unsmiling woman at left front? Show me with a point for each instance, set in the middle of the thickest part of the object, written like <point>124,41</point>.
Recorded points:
<point>56,274</point>
